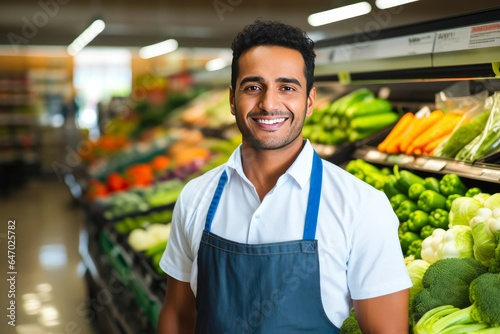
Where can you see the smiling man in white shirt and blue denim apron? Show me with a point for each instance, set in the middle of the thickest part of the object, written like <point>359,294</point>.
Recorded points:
<point>277,240</point>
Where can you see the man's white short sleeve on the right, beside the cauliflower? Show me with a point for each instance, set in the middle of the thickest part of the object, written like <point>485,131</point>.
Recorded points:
<point>376,264</point>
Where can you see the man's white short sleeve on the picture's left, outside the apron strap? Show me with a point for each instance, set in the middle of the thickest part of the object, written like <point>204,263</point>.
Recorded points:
<point>177,260</point>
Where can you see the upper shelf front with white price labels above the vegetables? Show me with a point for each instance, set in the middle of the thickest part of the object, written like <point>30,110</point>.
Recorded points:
<point>399,53</point>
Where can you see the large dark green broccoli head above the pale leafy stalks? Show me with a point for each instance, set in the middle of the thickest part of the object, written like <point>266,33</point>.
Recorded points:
<point>446,282</point>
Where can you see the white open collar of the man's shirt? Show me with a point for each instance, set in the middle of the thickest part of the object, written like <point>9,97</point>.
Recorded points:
<point>300,170</point>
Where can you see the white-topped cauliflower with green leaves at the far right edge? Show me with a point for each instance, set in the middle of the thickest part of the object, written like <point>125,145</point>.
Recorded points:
<point>484,225</point>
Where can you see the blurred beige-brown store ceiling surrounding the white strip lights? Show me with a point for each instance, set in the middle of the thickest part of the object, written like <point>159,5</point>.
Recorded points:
<point>193,23</point>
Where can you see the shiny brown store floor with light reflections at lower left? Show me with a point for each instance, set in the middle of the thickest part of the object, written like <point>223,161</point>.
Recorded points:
<point>50,290</point>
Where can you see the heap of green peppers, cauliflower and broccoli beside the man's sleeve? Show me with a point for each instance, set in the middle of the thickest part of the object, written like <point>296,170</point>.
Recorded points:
<point>450,237</point>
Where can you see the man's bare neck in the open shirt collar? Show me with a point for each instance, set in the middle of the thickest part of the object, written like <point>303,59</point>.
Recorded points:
<point>264,167</point>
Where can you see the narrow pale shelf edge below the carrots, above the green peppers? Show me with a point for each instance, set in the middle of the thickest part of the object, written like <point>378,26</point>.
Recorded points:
<point>489,174</point>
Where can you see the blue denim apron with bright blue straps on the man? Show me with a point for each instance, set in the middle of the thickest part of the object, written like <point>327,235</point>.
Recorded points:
<point>262,288</point>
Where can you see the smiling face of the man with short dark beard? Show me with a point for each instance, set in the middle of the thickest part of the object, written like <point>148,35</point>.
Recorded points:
<point>270,100</point>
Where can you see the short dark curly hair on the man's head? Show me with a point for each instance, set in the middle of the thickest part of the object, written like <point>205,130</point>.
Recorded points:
<point>274,34</point>
